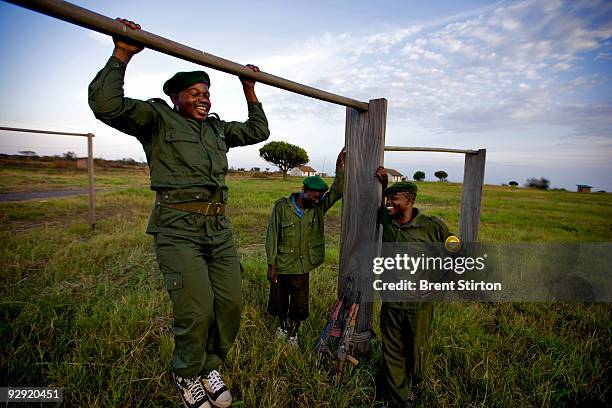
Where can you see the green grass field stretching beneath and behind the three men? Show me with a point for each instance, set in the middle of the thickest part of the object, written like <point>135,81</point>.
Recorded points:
<point>86,310</point>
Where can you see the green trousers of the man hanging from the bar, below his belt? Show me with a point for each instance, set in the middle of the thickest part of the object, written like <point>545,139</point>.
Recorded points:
<point>203,278</point>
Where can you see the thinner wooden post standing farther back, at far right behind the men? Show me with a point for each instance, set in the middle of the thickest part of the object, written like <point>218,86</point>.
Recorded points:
<point>473,180</point>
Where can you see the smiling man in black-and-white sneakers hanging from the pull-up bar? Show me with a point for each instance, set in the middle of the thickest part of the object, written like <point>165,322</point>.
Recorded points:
<point>186,151</point>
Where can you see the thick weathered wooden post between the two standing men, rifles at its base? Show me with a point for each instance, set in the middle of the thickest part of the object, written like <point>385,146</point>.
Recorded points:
<point>365,143</point>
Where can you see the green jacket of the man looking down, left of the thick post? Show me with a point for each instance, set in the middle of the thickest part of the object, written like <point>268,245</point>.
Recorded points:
<point>297,245</point>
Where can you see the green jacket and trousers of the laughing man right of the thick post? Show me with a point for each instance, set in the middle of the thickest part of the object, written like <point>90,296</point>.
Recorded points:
<point>405,326</point>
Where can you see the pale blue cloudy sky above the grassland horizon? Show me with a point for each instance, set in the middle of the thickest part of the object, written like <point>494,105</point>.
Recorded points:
<point>530,81</point>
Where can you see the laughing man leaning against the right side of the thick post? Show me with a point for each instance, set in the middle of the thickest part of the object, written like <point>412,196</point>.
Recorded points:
<point>405,326</point>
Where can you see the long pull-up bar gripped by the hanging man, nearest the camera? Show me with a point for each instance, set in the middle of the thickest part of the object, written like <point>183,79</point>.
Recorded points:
<point>85,18</point>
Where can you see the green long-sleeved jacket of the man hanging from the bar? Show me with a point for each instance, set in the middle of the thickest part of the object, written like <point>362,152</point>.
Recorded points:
<point>187,159</point>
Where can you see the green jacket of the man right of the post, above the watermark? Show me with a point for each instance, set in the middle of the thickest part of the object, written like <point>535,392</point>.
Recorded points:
<point>421,228</point>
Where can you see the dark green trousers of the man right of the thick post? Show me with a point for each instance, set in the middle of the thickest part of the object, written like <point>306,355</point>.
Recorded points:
<point>406,335</point>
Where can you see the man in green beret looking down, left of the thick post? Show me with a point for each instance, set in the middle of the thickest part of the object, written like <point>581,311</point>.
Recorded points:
<point>295,245</point>
